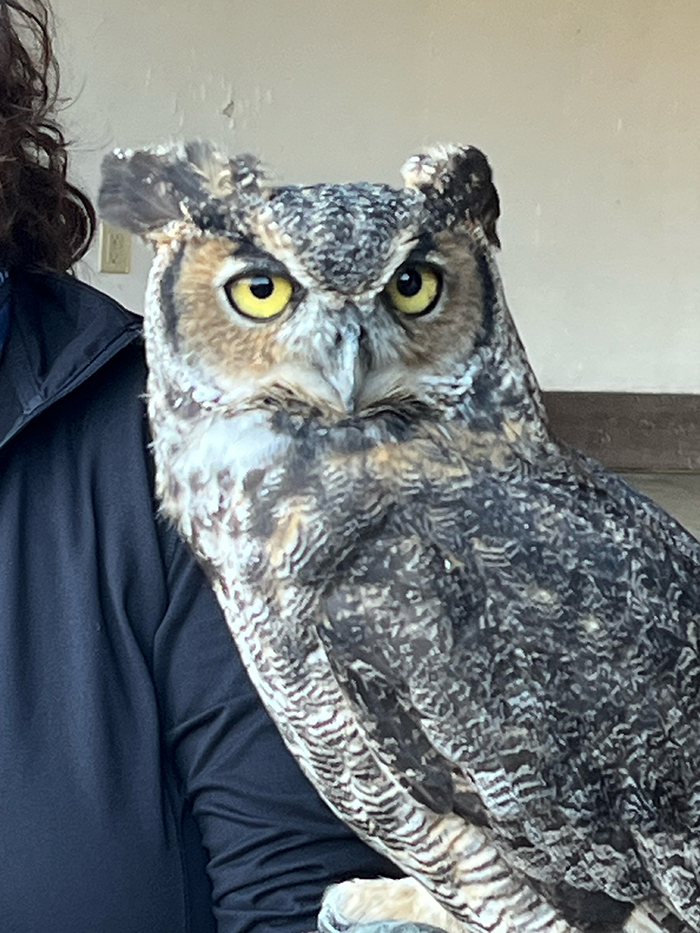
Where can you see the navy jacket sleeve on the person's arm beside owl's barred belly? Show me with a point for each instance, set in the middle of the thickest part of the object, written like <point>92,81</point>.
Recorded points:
<point>272,844</point>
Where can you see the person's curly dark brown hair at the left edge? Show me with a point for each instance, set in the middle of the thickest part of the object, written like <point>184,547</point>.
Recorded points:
<point>45,222</point>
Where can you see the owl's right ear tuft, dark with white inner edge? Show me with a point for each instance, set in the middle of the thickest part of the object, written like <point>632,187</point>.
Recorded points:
<point>457,183</point>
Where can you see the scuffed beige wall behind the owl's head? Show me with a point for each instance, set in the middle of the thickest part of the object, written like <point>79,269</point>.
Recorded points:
<point>588,110</point>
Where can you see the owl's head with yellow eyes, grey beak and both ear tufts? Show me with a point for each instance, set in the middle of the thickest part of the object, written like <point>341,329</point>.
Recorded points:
<point>337,300</point>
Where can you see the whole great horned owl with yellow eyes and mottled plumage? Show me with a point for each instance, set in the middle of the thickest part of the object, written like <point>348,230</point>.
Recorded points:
<point>481,646</point>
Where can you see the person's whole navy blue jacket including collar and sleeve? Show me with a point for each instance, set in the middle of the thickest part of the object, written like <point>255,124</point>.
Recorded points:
<point>124,708</point>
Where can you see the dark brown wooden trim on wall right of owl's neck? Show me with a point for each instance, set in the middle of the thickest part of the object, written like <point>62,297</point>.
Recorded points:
<point>630,431</point>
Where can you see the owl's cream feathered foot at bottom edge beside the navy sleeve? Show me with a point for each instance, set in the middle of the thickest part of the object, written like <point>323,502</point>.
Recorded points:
<point>384,901</point>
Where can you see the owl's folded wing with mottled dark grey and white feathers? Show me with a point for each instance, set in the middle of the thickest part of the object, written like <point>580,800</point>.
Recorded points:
<point>524,654</point>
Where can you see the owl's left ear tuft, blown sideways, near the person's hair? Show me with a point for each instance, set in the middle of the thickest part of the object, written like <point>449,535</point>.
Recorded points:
<point>146,189</point>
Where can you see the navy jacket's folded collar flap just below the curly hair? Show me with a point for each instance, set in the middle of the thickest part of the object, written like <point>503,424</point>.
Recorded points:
<point>61,332</point>
